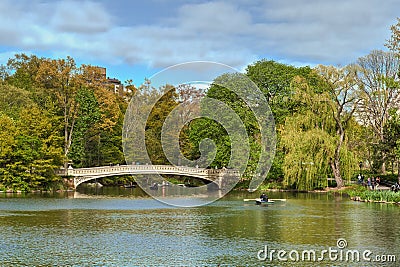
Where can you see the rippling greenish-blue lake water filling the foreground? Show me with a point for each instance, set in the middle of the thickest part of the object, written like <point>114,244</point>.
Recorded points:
<point>124,227</point>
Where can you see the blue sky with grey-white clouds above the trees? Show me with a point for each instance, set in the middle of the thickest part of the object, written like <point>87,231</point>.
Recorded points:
<point>135,39</point>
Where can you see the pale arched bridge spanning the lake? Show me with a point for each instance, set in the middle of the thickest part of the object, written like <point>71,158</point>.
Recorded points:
<point>220,177</point>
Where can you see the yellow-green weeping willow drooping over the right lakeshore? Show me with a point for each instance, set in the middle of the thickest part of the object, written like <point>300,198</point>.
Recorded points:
<point>310,137</point>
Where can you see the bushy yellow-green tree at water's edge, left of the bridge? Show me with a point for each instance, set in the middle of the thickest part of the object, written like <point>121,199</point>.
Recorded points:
<point>35,151</point>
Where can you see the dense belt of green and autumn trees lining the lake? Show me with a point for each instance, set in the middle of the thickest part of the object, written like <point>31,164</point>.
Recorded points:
<point>331,122</point>
